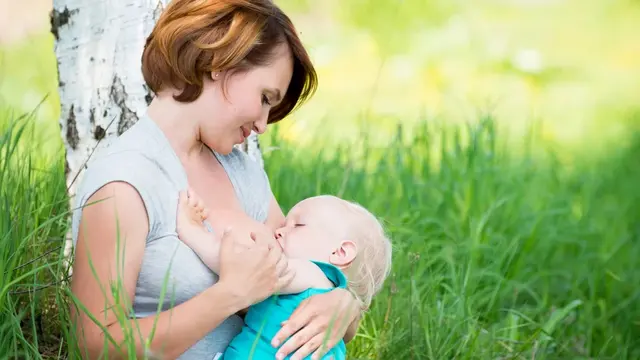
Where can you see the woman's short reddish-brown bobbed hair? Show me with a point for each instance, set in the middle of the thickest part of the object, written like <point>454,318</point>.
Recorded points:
<point>195,37</point>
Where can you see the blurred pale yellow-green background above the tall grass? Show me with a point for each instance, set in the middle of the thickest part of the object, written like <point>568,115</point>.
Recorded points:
<point>572,67</point>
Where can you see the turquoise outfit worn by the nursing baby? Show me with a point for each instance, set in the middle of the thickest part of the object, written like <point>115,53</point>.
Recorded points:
<point>263,321</point>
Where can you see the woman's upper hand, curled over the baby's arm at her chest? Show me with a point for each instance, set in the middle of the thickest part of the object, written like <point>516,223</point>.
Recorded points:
<point>252,271</point>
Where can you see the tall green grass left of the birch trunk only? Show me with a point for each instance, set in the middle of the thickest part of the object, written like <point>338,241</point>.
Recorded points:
<point>33,205</point>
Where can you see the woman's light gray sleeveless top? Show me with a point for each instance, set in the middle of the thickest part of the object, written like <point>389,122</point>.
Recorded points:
<point>143,157</point>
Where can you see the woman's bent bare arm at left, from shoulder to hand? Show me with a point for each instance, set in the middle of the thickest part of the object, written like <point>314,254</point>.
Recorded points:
<point>97,266</point>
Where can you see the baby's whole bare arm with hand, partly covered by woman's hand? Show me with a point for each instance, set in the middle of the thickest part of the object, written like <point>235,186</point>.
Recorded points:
<point>206,245</point>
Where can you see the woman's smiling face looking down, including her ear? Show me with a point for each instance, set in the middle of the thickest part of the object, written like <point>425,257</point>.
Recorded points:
<point>226,121</point>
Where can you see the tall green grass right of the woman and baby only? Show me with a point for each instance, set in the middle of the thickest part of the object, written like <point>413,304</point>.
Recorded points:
<point>496,256</point>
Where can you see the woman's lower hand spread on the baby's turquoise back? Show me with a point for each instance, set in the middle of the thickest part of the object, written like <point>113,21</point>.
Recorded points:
<point>330,312</point>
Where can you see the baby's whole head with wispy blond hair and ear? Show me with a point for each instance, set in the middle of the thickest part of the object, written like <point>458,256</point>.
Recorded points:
<point>329,229</point>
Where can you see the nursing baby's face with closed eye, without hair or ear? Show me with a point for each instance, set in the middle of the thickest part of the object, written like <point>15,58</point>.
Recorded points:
<point>314,229</point>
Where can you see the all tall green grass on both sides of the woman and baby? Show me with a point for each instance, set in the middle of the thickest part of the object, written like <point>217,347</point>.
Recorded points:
<point>496,255</point>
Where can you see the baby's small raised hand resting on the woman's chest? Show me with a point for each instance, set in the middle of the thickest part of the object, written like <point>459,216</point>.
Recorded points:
<point>191,214</point>
